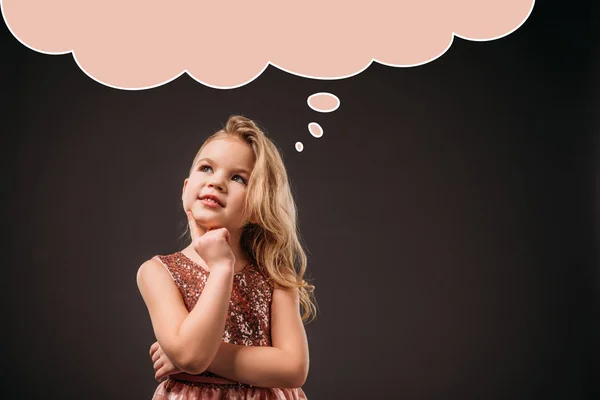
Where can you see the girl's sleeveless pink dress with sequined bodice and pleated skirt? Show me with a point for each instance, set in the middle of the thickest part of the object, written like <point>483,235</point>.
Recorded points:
<point>248,323</point>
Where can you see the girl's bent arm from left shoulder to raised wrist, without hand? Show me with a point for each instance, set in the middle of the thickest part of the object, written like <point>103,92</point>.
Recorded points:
<point>190,340</point>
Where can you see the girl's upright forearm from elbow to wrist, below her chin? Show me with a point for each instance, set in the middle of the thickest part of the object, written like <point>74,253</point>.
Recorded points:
<point>201,332</point>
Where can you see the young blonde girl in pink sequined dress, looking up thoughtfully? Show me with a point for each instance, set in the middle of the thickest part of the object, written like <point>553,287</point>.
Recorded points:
<point>226,309</point>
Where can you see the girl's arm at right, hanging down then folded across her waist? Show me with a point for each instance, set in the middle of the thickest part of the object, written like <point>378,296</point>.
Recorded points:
<point>285,364</point>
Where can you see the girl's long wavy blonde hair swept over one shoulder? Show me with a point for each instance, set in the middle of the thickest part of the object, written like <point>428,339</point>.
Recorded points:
<point>272,240</point>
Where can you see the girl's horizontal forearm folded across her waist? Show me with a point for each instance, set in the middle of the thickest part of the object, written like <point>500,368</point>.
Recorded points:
<point>260,366</point>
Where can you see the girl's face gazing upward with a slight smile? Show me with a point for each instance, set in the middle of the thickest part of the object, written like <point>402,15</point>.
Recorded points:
<point>222,171</point>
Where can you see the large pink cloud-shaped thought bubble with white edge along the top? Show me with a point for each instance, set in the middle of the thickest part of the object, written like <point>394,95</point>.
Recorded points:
<point>134,44</point>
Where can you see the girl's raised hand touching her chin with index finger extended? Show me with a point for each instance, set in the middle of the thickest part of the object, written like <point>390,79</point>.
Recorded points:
<point>212,246</point>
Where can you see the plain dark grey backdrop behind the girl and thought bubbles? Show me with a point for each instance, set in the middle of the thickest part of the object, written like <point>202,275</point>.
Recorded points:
<point>448,211</point>
